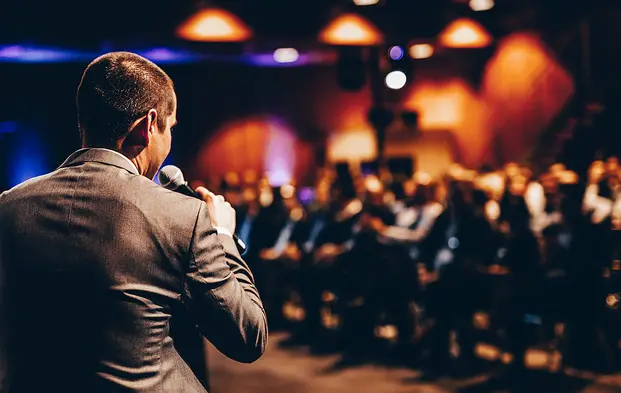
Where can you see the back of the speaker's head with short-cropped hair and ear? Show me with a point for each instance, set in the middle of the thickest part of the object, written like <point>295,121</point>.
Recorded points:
<point>117,89</point>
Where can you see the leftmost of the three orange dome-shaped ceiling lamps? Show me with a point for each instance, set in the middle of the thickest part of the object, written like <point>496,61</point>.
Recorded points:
<point>214,25</point>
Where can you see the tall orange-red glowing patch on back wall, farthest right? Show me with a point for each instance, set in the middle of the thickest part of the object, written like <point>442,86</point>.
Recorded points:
<point>524,87</point>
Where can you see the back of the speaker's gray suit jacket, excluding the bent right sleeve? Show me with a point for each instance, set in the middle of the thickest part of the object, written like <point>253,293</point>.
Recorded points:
<point>95,256</point>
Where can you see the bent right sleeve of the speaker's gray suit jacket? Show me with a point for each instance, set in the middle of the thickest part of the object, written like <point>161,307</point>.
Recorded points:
<point>220,291</point>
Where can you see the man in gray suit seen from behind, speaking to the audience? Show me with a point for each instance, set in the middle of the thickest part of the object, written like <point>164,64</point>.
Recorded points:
<point>96,258</point>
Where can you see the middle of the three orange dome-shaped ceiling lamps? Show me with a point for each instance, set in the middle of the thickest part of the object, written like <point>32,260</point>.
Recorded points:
<point>351,30</point>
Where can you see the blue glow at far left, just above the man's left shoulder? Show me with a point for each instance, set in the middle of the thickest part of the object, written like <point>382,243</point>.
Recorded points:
<point>28,158</point>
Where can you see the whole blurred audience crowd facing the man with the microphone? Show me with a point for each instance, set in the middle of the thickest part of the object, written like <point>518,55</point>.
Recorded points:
<point>499,265</point>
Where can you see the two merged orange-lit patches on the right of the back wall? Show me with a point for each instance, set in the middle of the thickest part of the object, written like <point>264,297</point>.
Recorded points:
<point>523,88</point>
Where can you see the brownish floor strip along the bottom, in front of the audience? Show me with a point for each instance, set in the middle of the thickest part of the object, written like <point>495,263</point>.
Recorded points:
<point>296,371</point>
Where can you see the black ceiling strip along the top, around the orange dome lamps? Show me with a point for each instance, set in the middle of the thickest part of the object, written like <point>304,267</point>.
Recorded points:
<point>90,24</point>
